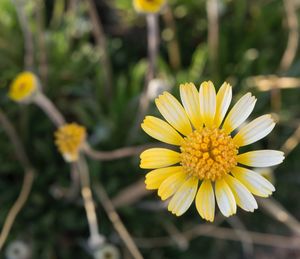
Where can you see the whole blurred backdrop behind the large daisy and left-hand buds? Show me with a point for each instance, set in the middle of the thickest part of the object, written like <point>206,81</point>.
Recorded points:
<point>92,60</point>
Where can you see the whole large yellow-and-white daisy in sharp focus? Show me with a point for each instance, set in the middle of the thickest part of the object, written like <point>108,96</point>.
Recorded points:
<point>208,151</point>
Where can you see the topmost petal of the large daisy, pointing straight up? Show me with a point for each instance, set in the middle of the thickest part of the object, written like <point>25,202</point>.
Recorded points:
<point>207,97</point>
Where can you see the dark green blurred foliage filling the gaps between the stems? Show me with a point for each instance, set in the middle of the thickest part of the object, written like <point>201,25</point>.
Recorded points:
<point>252,39</point>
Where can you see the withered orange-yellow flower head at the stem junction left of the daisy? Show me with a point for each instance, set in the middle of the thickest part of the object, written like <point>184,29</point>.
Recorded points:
<point>69,140</point>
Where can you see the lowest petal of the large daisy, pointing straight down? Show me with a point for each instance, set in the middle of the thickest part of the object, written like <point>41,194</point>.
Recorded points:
<point>205,201</point>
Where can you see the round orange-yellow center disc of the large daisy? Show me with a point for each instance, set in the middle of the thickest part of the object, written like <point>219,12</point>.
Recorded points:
<point>208,153</point>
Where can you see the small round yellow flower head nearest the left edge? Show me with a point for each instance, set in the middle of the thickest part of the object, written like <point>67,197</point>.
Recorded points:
<point>23,87</point>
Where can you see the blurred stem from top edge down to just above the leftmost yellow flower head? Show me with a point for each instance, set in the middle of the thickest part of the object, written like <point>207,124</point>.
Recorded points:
<point>28,42</point>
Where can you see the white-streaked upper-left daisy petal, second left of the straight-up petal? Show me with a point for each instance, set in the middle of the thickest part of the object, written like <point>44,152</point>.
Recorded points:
<point>173,112</point>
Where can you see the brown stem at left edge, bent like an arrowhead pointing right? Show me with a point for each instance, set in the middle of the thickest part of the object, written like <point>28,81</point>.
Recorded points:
<point>27,182</point>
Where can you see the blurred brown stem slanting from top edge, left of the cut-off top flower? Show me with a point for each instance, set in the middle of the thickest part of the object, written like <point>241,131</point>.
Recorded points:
<point>101,43</point>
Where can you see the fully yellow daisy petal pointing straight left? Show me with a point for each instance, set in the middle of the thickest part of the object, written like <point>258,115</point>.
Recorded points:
<point>158,157</point>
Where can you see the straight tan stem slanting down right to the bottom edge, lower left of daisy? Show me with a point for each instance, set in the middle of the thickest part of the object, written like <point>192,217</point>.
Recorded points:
<point>116,221</point>
